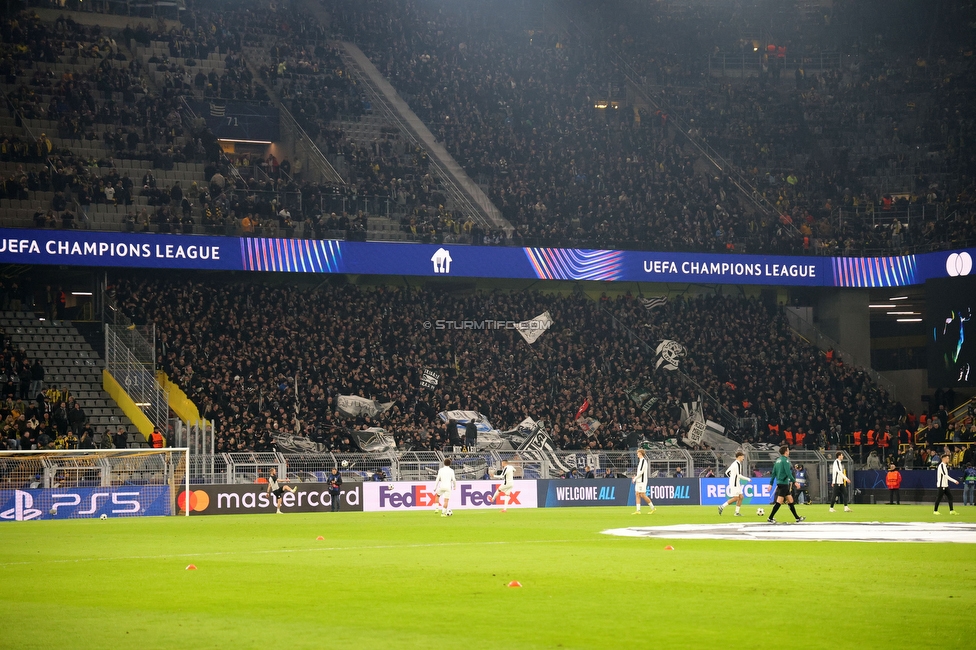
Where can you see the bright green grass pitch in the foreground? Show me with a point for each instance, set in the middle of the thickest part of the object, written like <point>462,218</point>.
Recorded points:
<point>416,580</point>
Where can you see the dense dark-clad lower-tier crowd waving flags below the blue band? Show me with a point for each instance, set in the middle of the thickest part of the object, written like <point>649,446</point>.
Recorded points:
<point>244,352</point>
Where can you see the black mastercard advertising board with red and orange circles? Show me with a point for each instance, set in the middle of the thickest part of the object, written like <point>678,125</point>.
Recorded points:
<point>253,498</point>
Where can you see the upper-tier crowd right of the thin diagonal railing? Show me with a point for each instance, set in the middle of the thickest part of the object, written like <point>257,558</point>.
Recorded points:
<point>860,118</point>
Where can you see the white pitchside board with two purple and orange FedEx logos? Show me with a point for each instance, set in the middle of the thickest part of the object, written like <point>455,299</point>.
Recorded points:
<point>468,495</point>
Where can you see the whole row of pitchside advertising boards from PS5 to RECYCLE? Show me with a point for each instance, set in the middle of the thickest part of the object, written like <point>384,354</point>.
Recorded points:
<point>397,496</point>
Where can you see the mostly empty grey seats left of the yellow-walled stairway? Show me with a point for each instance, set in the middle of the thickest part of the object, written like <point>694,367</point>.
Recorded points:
<point>70,362</point>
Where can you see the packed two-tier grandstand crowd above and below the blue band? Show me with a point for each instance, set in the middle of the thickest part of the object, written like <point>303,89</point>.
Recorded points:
<point>678,127</point>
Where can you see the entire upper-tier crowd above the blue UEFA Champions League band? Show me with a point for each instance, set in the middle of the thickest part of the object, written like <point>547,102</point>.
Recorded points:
<point>516,107</point>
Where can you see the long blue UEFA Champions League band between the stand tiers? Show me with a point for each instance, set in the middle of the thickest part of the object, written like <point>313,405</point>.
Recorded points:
<point>90,248</point>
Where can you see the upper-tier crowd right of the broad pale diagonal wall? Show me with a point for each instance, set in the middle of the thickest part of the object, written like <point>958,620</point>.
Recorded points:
<point>516,108</point>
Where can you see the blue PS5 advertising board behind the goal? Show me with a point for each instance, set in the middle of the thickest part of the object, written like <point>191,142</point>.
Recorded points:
<point>74,503</point>
